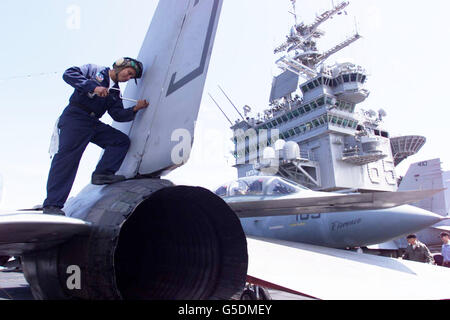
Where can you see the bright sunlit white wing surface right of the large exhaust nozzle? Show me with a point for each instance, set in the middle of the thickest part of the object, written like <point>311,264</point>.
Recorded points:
<point>332,274</point>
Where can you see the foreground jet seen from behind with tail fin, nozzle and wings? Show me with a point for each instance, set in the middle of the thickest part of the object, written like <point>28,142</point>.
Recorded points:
<point>145,238</point>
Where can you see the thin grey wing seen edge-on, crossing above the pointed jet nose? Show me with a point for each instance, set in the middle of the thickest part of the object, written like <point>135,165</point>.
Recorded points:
<point>327,204</point>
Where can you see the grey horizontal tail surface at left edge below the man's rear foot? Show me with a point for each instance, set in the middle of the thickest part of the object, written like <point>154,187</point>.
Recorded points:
<point>23,232</point>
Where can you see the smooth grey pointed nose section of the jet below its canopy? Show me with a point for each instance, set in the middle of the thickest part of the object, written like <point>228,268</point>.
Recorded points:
<point>342,229</point>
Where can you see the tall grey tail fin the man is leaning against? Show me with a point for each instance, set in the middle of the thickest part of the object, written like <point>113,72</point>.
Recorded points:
<point>176,53</point>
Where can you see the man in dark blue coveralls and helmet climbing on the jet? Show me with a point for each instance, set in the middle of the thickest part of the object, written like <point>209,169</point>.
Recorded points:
<point>79,124</point>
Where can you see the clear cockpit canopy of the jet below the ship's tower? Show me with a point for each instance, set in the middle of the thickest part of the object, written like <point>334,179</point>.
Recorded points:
<point>259,186</point>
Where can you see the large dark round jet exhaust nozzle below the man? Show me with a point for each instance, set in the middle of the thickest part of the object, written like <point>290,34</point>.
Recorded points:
<point>150,240</point>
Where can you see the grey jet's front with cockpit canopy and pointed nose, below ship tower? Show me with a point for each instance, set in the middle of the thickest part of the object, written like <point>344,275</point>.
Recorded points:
<point>277,209</point>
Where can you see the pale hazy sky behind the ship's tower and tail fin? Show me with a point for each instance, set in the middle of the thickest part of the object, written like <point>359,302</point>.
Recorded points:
<point>405,50</point>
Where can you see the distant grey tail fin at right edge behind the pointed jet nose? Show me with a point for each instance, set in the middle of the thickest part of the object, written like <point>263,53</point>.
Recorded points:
<point>427,175</point>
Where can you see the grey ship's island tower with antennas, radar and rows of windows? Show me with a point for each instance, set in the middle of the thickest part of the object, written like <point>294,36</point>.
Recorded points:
<point>341,147</point>
